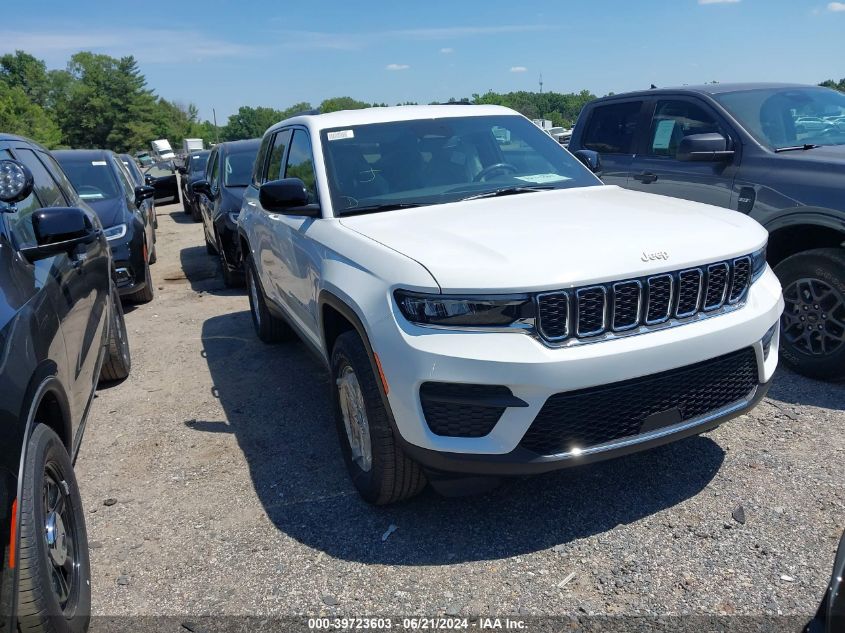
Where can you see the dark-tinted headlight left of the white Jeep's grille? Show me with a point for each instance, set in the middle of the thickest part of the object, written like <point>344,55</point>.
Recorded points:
<point>494,311</point>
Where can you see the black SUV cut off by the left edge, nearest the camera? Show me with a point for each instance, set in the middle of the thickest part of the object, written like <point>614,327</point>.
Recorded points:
<point>61,331</point>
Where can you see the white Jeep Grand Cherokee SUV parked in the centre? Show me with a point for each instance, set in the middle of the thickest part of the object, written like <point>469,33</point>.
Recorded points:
<point>486,307</point>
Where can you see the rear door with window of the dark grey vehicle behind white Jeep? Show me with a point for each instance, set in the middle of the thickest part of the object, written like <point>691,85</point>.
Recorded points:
<point>611,130</point>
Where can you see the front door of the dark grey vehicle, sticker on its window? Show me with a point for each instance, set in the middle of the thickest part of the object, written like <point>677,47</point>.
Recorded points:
<point>656,168</point>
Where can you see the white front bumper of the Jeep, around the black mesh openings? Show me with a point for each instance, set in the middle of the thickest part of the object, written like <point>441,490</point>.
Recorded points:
<point>533,372</point>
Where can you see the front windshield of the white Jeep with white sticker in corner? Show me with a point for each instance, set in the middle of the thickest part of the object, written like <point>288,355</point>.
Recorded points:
<point>434,161</point>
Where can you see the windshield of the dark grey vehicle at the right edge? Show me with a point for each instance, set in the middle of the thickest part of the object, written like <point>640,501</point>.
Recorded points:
<point>789,117</point>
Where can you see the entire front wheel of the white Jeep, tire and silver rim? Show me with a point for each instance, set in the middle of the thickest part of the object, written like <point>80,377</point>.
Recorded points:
<point>379,468</point>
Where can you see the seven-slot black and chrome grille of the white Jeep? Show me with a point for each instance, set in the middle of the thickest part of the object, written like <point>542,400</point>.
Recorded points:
<point>626,305</point>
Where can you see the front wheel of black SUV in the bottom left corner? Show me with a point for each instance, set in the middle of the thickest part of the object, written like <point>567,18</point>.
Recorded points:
<point>48,472</point>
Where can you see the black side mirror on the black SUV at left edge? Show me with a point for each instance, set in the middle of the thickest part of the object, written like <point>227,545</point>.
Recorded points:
<point>59,230</point>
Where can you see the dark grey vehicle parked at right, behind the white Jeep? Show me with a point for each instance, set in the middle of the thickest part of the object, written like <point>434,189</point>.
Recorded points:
<point>773,151</point>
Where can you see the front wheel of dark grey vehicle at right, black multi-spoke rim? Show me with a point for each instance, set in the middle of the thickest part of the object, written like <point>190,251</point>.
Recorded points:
<point>812,340</point>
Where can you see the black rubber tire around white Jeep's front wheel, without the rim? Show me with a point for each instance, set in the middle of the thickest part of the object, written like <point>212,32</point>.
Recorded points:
<point>391,476</point>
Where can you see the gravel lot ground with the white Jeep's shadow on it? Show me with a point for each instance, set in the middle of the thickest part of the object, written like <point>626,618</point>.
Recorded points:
<point>213,485</point>
